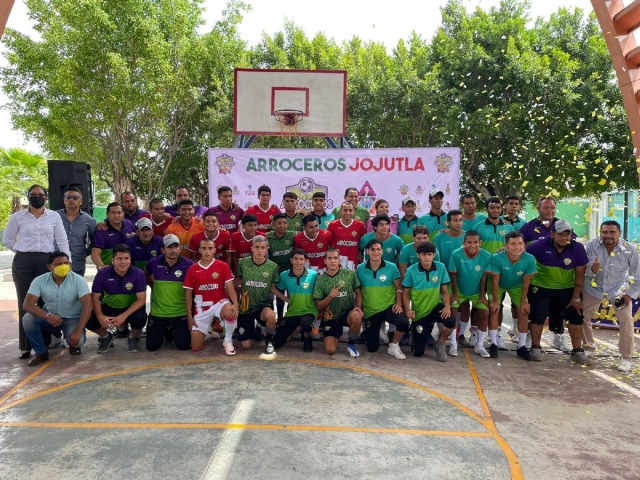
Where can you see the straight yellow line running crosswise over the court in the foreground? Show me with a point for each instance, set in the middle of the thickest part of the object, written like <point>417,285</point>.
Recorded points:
<point>241,426</point>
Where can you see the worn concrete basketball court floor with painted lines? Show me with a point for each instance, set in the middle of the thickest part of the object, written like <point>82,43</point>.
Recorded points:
<point>207,416</point>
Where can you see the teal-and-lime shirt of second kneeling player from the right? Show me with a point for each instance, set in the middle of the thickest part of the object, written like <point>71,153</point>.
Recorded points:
<point>378,290</point>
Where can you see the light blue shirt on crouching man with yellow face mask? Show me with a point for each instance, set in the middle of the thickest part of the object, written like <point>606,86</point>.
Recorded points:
<point>63,299</point>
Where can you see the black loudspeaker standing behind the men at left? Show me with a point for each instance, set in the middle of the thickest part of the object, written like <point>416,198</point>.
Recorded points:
<point>64,174</point>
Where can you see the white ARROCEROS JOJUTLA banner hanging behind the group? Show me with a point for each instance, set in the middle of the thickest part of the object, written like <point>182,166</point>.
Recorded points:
<point>391,174</point>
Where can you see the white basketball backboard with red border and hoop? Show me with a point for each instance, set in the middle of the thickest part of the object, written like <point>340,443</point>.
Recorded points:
<point>319,96</point>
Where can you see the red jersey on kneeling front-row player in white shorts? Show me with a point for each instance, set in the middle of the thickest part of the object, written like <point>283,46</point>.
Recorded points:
<point>207,283</point>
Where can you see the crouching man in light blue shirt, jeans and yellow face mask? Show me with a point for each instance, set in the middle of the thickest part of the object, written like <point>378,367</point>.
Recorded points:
<point>67,307</point>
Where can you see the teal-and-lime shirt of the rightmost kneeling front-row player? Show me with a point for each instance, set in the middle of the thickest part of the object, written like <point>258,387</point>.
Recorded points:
<point>425,287</point>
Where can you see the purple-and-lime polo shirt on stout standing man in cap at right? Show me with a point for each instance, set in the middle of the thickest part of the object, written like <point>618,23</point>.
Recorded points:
<point>556,270</point>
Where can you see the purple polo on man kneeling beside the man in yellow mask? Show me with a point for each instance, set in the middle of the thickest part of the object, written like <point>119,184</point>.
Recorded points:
<point>117,291</point>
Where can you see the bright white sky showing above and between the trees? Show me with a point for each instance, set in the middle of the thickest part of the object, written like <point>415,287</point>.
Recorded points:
<point>338,19</point>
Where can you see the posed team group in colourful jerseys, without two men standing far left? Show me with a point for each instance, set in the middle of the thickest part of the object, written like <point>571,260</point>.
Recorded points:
<point>226,272</point>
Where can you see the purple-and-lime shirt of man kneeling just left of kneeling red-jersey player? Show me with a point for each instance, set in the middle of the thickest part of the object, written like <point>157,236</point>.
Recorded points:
<point>167,294</point>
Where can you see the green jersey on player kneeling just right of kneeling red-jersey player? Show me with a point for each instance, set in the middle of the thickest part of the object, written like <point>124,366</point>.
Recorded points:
<point>256,283</point>
